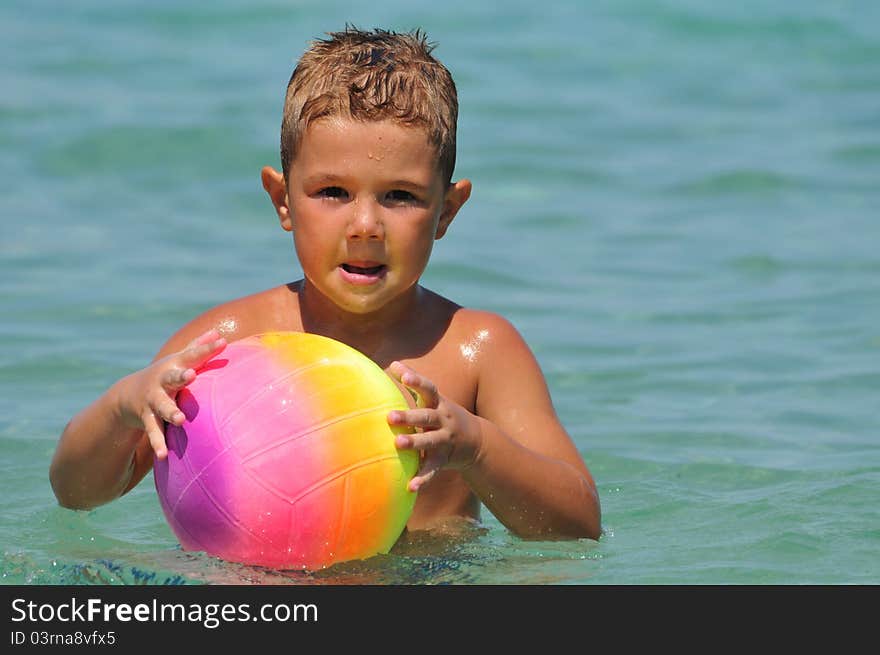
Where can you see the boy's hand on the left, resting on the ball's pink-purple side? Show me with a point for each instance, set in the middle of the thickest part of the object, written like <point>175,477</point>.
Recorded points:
<point>148,398</point>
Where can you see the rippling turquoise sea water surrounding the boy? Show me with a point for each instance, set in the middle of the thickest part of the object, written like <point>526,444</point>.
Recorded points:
<point>677,203</point>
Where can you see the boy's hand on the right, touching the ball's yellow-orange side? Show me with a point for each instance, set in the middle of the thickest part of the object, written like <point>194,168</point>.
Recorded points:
<point>448,435</point>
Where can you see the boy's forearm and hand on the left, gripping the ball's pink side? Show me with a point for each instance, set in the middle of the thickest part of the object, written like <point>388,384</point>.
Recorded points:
<point>108,447</point>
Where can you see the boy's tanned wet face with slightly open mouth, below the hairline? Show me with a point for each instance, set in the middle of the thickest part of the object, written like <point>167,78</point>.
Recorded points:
<point>365,203</point>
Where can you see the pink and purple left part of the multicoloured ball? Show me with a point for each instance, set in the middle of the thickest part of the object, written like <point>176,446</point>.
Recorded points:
<point>221,493</point>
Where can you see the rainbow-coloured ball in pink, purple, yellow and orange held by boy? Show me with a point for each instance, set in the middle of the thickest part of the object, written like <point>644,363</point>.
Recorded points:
<point>286,458</point>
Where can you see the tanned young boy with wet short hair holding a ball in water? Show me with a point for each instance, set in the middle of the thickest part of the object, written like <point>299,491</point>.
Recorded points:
<point>367,152</point>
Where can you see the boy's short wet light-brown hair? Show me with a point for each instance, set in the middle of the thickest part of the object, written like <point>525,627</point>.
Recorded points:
<point>372,76</point>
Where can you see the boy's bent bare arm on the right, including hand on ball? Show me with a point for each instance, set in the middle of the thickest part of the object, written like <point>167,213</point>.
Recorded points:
<point>514,453</point>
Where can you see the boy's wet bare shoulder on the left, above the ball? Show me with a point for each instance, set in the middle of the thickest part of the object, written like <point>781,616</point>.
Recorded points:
<point>264,311</point>
